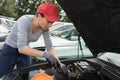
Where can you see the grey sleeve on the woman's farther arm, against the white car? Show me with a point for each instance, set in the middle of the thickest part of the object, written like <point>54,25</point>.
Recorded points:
<point>47,40</point>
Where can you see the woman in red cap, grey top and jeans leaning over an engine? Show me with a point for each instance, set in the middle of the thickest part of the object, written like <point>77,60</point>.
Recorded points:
<point>28,29</point>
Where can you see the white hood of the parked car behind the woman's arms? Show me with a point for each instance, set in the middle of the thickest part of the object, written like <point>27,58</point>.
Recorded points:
<point>57,42</point>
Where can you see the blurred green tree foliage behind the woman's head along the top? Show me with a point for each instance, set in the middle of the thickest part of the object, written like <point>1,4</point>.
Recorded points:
<point>17,8</point>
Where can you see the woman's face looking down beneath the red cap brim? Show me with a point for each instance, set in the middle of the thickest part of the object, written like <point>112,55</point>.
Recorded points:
<point>44,23</point>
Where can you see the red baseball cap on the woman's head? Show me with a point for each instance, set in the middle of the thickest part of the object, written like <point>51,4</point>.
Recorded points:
<point>49,10</point>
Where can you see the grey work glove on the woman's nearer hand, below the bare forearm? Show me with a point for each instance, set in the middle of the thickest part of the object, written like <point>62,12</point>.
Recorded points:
<point>53,61</point>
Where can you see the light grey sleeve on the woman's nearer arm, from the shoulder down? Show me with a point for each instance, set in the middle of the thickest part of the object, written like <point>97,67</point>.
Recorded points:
<point>22,39</point>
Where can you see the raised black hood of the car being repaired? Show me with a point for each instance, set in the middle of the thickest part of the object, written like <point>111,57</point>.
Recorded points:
<point>97,21</point>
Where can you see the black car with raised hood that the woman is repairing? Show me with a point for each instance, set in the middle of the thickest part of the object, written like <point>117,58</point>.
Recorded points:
<point>97,21</point>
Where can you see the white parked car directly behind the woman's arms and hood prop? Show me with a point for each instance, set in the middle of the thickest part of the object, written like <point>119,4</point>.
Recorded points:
<point>65,41</point>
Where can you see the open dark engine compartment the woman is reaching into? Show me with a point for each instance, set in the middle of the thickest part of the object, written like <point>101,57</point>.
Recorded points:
<point>83,69</point>
